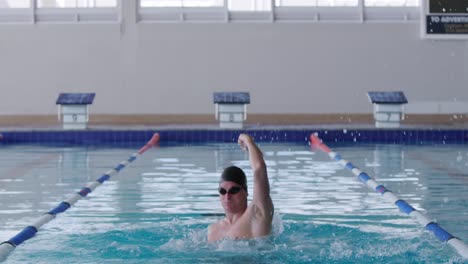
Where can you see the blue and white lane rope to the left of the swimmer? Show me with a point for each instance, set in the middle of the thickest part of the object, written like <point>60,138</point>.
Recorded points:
<point>28,232</point>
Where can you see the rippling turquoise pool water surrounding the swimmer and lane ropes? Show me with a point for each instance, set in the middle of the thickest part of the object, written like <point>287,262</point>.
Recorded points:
<point>158,208</point>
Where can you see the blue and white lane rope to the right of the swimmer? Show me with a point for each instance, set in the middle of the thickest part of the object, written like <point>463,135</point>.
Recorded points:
<point>388,195</point>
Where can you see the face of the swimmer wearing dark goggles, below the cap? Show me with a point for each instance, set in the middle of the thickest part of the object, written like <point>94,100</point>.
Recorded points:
<point>234,198</point>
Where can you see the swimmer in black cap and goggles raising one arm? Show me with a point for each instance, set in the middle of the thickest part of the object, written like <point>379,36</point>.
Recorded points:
<point>242,220</point>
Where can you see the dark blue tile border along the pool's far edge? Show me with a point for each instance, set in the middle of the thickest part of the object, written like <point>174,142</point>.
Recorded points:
<point>331,136</point>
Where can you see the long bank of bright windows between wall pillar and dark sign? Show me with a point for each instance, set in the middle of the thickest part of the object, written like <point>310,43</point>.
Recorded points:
<point>279,10</point>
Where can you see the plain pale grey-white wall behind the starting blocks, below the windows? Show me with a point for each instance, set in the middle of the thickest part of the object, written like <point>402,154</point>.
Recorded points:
<point>160,68</point>
